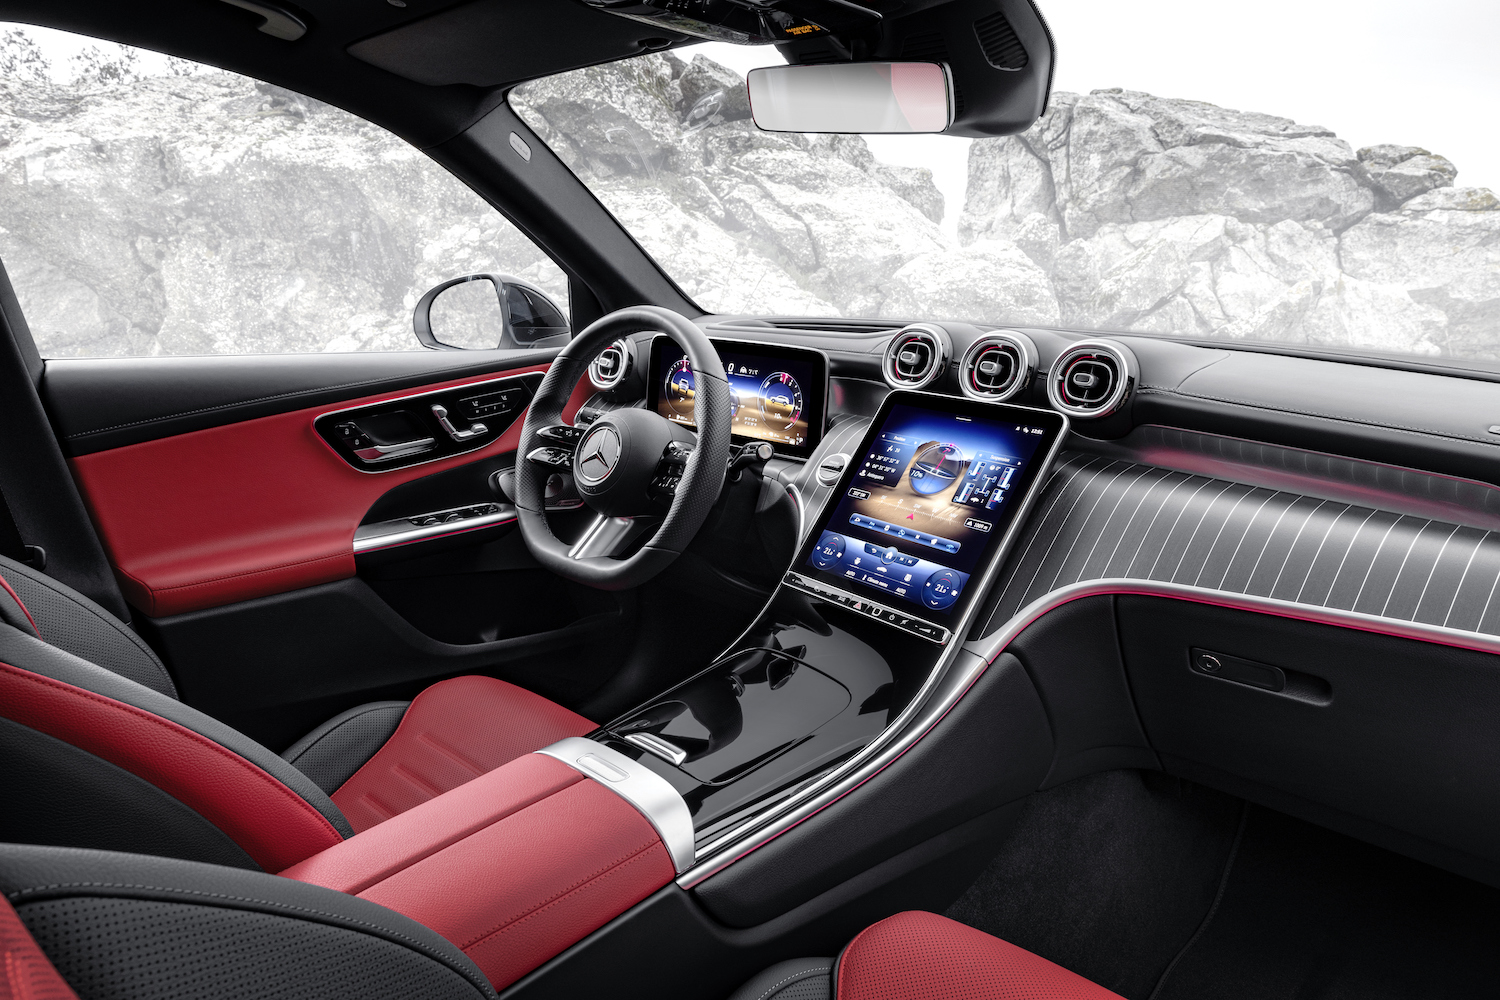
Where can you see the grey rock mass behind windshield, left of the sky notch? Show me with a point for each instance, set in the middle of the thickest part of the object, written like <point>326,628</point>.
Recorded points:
<point>746,221</point>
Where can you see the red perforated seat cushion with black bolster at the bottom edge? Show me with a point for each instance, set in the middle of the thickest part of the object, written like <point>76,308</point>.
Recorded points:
<point>923,957</point>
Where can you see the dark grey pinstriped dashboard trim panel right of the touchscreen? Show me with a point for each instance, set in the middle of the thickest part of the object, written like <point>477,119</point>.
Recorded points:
<point>1103,518</point>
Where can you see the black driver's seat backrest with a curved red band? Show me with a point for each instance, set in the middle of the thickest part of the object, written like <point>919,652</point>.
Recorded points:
<point>94,759</point>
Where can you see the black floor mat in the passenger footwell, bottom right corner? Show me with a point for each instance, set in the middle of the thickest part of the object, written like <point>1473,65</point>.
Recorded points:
<point>1313,915</point>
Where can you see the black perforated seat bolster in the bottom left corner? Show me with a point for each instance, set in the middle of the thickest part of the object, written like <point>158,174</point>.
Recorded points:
<point>211,932</point>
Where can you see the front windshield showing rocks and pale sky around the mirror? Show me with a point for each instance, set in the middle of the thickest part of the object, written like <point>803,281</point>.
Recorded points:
<point>1121,211</point>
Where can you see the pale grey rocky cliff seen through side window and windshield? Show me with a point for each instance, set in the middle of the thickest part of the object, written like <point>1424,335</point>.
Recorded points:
<point>211,214</point>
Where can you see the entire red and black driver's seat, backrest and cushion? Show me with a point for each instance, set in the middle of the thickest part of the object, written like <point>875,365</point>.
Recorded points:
<point>95,741</point>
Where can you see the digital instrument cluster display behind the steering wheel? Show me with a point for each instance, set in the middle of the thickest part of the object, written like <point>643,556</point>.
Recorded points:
<point>776,394</point>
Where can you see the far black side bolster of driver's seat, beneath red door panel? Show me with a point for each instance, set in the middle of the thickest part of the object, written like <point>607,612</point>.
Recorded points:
<point>70,621</point>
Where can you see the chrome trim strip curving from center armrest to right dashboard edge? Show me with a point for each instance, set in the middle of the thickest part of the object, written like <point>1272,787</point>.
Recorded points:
<point>938,699</point>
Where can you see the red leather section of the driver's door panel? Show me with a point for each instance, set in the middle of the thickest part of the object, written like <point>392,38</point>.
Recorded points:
<point>244,510</point>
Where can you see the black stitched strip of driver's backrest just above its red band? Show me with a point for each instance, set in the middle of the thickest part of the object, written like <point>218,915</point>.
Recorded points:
<point>26,653</point>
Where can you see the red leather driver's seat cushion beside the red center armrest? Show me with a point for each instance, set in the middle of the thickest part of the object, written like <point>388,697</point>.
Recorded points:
<point>452,734</point>
